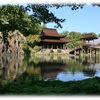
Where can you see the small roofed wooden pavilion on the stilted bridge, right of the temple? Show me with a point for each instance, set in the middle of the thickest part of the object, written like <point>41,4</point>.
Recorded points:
<point>86,46</point>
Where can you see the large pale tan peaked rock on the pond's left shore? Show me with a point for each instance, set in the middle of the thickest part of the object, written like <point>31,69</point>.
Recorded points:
<point>16,41</point>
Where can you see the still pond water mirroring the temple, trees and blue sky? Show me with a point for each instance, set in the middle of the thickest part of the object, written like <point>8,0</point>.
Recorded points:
<point>46,68</point>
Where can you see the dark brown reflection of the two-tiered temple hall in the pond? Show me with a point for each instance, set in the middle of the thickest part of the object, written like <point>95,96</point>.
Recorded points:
<point>50,70</point>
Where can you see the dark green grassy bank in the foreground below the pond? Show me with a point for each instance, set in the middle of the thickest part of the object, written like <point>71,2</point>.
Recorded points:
<point>85,87</point>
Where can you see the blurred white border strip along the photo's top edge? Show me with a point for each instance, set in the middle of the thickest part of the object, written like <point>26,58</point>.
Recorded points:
<point>47,1</point>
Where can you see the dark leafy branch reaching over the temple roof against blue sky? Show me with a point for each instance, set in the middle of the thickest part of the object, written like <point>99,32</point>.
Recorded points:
<point>42,14</point>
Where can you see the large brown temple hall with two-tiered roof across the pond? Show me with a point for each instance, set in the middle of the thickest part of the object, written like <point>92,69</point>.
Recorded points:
<point>51,39</point>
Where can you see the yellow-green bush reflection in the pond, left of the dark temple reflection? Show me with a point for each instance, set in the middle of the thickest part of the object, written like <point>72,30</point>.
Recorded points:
<point>32,71</point>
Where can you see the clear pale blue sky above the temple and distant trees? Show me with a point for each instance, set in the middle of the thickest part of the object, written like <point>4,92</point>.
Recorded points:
<point>81,20</point>
